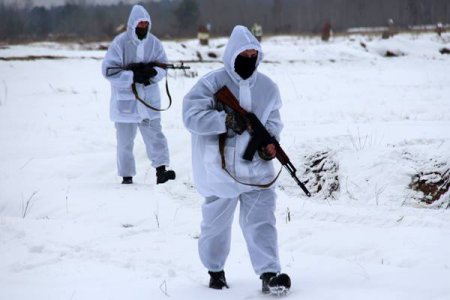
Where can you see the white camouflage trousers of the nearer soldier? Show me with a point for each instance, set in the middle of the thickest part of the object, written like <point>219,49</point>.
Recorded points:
<point>257,221</point>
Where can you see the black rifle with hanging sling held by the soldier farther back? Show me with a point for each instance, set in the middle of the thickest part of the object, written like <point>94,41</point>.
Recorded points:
<point>145,68</point>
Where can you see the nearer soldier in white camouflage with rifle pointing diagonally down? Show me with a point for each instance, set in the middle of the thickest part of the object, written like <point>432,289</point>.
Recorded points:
<point>206,120</point>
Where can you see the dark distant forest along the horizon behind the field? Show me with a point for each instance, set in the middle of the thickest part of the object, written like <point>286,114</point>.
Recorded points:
<point>180,18</point>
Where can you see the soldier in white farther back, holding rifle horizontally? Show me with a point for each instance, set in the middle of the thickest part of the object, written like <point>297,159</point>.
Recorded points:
<point>137,45</point>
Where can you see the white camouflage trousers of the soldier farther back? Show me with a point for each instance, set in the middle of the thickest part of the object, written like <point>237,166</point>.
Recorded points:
<point>154,140</point>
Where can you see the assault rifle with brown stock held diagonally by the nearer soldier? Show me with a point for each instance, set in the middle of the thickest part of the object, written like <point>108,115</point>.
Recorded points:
<point>260,137</point>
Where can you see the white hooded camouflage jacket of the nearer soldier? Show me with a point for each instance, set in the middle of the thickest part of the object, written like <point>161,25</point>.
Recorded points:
<point>257,94</point>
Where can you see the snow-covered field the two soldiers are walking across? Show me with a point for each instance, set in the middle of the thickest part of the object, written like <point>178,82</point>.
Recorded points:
<point>70,230</point>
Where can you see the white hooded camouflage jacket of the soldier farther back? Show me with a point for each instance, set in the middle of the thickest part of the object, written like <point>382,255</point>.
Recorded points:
<point>126,48</point>
